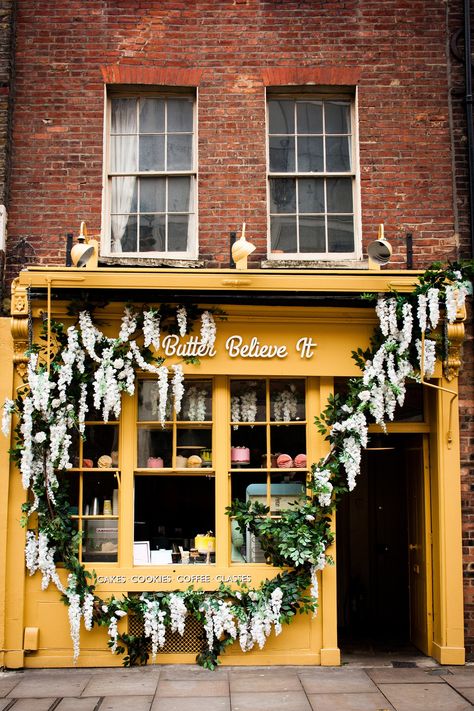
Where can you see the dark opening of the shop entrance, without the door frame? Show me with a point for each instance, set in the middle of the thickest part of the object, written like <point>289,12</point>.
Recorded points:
<point>373,550</point>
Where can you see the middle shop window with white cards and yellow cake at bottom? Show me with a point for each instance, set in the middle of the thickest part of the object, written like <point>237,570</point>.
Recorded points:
<point>175,479</point>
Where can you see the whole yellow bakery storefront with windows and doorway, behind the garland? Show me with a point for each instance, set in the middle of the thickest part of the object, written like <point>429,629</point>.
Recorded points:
<point>148,489</point>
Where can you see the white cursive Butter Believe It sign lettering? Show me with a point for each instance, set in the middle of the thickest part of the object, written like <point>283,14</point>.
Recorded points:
<point>236,347</point>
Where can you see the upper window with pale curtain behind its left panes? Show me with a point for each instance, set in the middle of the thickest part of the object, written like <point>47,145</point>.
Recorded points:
<point>151,177</point>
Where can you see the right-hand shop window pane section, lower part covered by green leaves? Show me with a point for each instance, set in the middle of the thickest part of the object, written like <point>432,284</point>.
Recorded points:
<point>268,460</point>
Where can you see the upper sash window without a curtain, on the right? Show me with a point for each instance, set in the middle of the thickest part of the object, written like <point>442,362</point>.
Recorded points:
<point>312,178</point>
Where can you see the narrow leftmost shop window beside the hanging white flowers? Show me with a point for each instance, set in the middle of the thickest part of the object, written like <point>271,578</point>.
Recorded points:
<point>92,487</point>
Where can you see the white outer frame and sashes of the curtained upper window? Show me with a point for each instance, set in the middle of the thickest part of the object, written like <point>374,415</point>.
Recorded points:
<point>106,248</point>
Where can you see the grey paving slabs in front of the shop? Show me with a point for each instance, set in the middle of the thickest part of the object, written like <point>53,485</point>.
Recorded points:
<point>358,685</point>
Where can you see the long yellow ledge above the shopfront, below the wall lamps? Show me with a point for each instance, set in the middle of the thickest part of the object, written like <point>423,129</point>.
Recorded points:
<point>292,286</point>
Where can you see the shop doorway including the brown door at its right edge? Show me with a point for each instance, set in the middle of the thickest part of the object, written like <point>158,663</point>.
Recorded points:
<point>384,550</point>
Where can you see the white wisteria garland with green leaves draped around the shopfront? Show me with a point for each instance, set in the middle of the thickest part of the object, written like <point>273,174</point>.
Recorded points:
<point>88,364</point>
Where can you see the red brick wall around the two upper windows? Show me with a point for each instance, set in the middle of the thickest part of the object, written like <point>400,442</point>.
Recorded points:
<point>411,124</point>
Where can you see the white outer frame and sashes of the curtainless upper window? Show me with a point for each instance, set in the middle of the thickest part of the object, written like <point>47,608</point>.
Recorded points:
<point>354,174</point>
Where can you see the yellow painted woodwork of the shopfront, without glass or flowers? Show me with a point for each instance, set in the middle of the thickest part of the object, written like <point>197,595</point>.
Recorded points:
<point>333,332</point>
